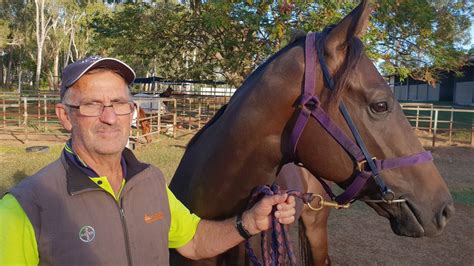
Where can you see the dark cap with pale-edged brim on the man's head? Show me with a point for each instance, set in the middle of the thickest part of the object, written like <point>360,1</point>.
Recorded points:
<point>73,72</point>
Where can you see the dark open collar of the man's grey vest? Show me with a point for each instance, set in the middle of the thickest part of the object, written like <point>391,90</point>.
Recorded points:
<point>79,181</point>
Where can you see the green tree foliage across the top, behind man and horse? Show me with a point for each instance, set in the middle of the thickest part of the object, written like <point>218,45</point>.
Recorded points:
<point>226,40</point>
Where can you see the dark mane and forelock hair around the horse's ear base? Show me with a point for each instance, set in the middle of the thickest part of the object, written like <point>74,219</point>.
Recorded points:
<point>342,78</point>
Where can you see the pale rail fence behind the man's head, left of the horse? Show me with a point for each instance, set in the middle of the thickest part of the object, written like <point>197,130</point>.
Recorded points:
<point>35,114</point>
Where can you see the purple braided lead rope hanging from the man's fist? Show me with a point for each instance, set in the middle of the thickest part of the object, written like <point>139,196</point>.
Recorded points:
<point>279,249</point>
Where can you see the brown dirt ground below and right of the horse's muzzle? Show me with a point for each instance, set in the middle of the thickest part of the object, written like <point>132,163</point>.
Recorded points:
<point>360,237</point>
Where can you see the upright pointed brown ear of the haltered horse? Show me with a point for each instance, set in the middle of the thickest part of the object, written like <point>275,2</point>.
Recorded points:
<point>354,24</point>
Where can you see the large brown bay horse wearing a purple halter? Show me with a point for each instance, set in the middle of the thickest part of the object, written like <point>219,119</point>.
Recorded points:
<point>290,109</point>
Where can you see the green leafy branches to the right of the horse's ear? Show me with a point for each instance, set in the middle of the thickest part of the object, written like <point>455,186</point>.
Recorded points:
<point>422,38</point>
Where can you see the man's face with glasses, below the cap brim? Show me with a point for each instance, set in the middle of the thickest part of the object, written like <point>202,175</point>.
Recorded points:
<point>106,134</point>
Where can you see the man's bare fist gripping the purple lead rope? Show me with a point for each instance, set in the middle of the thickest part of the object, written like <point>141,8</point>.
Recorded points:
<point>259,217</point>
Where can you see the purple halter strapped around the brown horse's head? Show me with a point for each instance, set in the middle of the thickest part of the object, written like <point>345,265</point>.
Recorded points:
<point>357,151</point>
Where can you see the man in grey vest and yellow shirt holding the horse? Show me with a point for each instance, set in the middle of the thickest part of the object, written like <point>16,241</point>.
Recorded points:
<point>97,204</point>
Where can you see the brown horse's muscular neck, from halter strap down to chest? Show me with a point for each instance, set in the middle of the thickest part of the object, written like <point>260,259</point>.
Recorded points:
<point>243,148</point>
